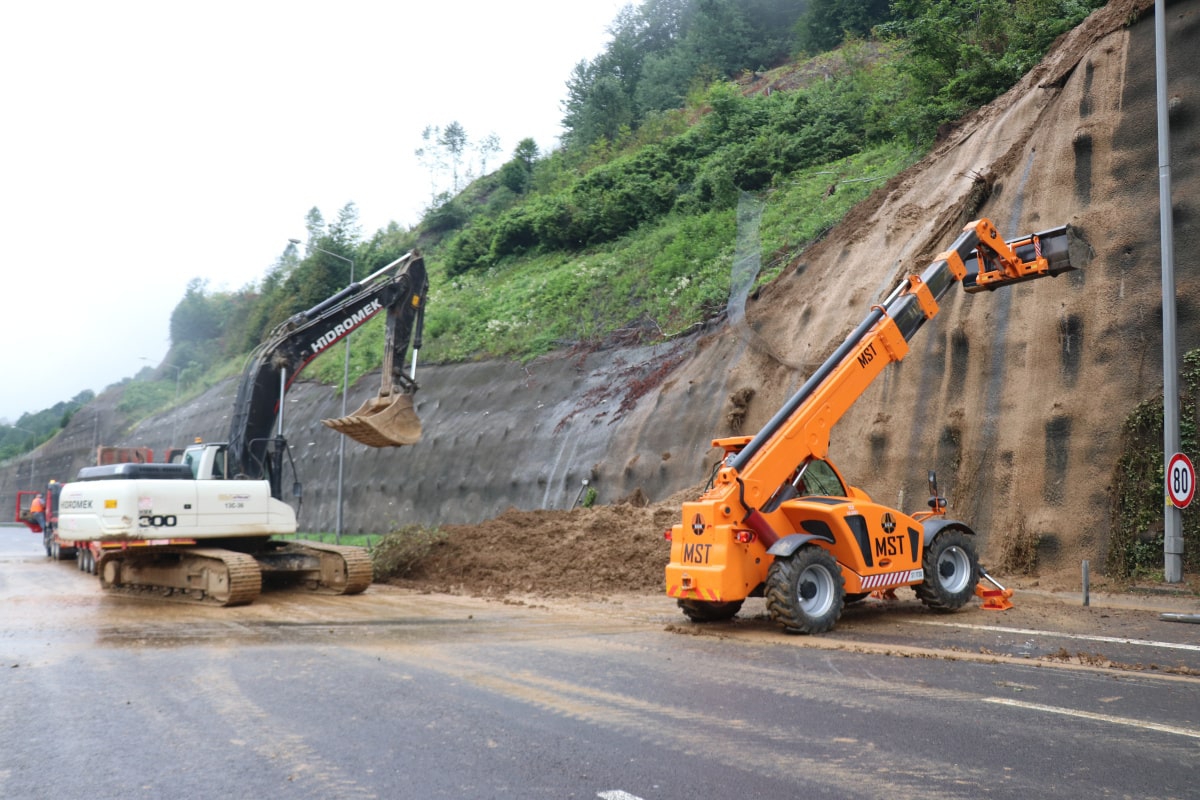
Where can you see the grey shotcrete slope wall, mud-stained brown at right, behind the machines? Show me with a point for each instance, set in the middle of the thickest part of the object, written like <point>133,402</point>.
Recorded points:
<point>1015,398</point>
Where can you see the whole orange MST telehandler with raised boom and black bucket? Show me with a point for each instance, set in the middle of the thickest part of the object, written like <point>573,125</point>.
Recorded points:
<point>779,521</point>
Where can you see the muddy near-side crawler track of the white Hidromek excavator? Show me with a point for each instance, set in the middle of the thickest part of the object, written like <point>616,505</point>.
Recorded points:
<point>207,576</point>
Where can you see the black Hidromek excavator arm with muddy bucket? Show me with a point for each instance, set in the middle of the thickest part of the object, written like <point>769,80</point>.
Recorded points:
<point>388,420</point>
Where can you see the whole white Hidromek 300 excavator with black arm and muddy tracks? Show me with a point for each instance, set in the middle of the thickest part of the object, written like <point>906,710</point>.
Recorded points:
<point>202,530</point>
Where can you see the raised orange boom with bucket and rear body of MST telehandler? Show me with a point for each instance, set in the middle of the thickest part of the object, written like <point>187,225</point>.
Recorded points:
<point>710,558</point>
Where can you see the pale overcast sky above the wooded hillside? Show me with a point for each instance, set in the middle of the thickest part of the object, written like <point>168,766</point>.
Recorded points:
<point>149,143</point>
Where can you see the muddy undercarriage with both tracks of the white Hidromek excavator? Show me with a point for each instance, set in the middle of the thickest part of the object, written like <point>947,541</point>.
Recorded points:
<point>232,578</point>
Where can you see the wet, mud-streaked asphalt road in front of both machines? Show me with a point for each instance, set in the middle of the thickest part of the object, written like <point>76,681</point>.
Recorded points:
<point>403,695</point>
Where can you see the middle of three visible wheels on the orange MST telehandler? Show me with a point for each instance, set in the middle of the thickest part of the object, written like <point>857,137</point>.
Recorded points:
<point>806,592</point>
